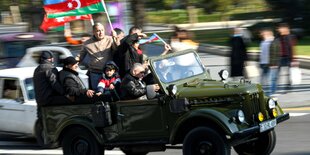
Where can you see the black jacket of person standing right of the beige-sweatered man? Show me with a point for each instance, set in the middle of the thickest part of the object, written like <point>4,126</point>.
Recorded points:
<point>127,55</point>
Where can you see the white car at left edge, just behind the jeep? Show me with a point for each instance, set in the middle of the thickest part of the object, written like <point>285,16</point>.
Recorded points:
<point>18,110</point>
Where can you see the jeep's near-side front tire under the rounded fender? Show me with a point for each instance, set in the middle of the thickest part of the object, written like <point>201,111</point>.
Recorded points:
<point>205,141</point>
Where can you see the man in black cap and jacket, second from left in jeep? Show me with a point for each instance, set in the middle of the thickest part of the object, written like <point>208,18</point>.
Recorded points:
<point>73,86</point>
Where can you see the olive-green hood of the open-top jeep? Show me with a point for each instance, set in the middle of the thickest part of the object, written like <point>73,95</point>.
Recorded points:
<point>208,88</point>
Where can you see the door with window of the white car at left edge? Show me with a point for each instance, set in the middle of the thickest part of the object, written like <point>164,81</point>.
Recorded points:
<point>14,114</point>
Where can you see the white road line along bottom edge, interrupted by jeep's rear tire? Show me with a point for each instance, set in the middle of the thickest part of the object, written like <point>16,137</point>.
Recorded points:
<point>47,152</point>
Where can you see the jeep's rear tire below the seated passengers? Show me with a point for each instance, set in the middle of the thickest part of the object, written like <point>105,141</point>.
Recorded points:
<point>79,141</point>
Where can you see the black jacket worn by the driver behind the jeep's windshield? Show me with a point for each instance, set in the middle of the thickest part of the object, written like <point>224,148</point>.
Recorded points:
<point>132,87</point>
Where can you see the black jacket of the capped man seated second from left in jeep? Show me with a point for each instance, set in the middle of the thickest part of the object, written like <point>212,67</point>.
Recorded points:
<point>71,82</point>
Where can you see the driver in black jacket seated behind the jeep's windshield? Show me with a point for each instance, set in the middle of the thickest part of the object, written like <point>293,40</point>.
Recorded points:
<point>132,86</point>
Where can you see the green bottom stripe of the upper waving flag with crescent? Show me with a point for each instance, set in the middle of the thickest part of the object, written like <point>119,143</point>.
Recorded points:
<point>95,8</point>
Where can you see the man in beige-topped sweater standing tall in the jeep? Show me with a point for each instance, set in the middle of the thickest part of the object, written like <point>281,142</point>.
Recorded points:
<point>100,49</point>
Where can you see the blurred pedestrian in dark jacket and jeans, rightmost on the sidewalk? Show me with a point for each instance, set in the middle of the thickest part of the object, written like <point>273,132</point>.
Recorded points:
<point>282,55</point>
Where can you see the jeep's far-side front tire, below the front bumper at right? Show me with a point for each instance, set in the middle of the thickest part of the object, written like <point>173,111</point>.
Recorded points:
<point>264,145</point>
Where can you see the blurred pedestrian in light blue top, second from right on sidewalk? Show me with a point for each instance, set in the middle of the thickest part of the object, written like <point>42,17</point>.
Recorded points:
<point>267,39</point>
